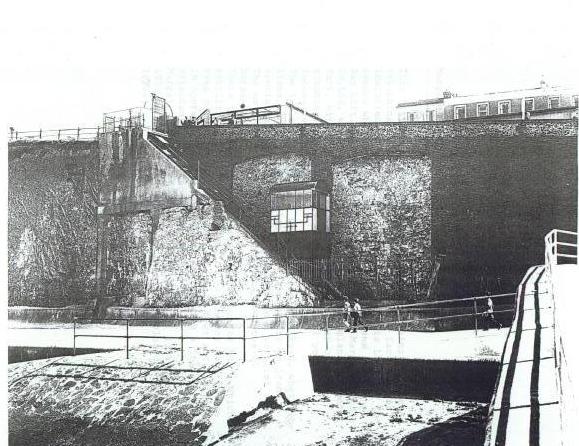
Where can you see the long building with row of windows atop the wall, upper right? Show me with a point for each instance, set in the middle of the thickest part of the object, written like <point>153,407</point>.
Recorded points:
<point>543,102</point>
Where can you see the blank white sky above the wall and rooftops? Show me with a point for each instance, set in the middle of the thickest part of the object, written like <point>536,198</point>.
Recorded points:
<point>66,63</point>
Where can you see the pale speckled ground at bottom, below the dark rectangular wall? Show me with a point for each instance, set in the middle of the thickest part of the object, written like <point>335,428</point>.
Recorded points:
<point>333,420</point>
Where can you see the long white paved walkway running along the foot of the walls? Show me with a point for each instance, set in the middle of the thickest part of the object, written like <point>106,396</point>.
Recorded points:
<point>374,343</point>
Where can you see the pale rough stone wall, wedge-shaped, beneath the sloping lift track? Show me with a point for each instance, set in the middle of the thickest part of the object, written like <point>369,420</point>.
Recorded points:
<point>180,257</point>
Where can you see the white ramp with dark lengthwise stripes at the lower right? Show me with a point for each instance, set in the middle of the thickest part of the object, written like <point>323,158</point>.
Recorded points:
<point>525,408</point>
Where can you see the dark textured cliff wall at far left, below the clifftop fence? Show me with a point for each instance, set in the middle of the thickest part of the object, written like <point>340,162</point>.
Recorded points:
<point>52,194</point>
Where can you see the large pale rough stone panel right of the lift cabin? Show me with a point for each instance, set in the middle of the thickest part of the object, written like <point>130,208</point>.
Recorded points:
<point>381,213</point>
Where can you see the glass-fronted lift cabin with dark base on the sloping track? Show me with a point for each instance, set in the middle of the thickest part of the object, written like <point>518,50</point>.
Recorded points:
<point>300,216</point>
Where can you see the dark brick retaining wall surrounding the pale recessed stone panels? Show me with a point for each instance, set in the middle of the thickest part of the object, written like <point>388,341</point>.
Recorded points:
<point>497,186</point>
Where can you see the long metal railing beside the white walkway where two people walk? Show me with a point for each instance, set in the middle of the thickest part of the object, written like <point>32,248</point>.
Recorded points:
<point>375,319</point>
